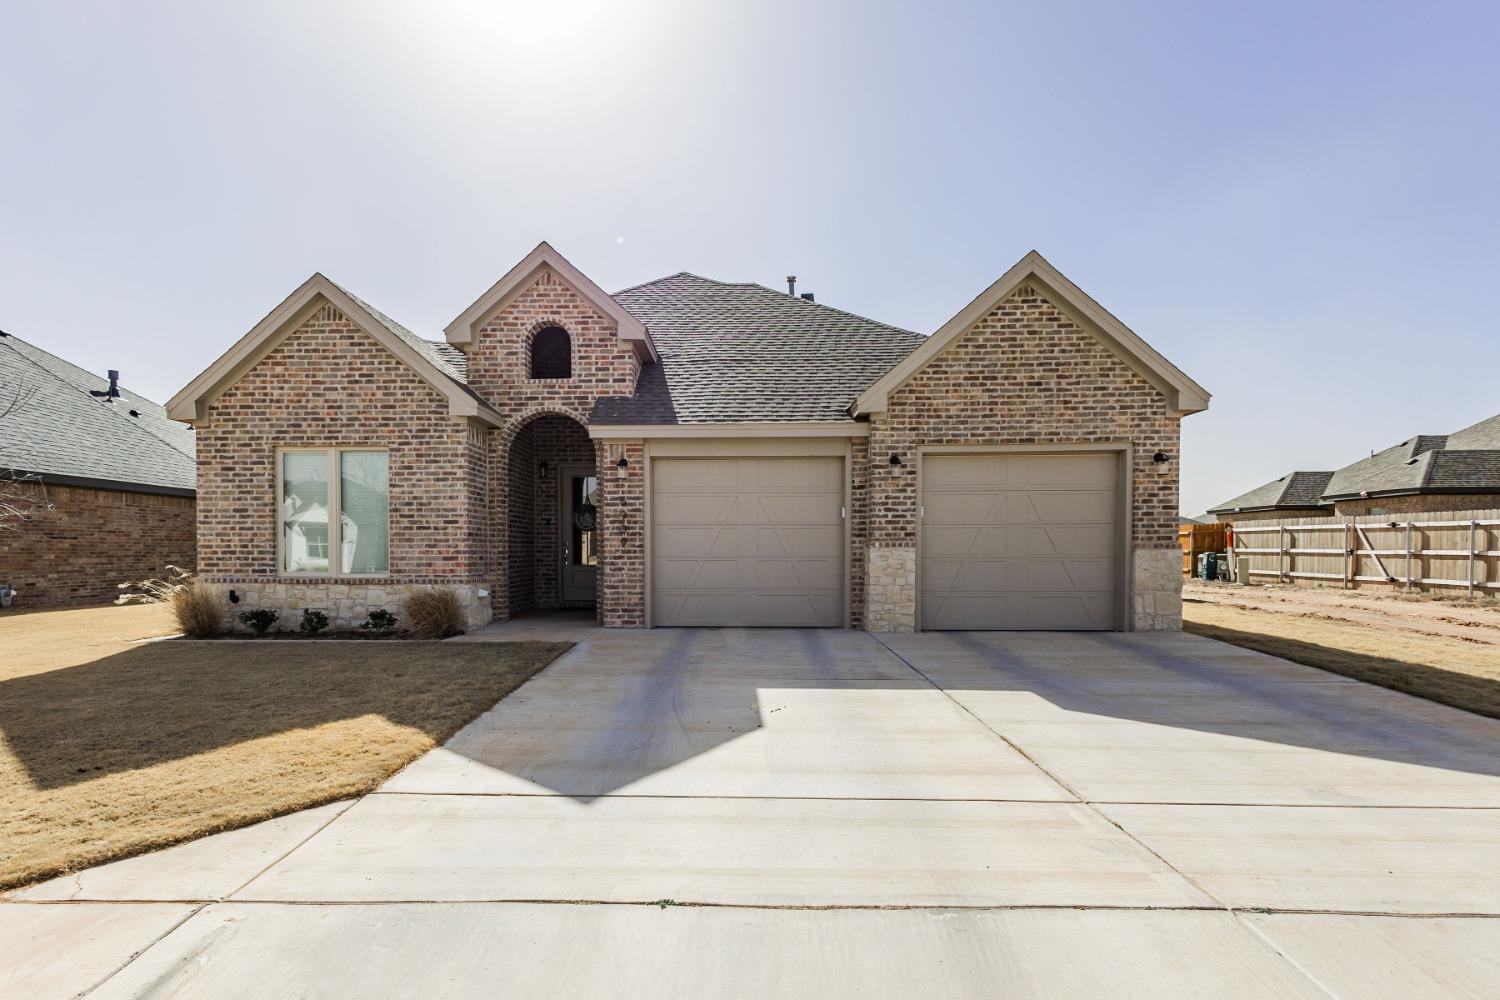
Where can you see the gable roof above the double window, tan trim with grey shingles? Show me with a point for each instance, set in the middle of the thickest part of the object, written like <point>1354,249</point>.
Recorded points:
<point>440,365</point>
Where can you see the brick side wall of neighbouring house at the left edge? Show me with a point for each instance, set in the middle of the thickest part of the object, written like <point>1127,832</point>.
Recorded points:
<point>92,542</point>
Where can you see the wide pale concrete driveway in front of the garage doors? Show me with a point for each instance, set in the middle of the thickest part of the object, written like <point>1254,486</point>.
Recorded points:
<point>725,813</point>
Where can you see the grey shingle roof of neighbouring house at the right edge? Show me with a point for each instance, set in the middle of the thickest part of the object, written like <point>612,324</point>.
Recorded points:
<point>1463,463</point>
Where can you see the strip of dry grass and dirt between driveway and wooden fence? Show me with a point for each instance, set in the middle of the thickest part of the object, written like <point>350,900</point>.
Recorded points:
<point>1441,650</point>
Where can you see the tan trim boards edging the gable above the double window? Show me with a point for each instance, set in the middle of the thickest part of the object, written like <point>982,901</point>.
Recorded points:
<point>191,404</point>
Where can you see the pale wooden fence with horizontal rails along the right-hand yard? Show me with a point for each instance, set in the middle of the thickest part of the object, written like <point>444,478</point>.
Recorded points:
<point>1451,549</point>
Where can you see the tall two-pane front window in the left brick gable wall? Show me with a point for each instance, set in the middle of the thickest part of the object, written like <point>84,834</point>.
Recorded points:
<point>335,512</point>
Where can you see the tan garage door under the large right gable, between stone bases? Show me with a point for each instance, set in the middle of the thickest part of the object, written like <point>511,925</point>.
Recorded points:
<point>1019,540</point>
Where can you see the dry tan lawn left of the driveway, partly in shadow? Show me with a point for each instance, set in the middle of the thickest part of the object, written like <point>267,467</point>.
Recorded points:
<point>112,747</point>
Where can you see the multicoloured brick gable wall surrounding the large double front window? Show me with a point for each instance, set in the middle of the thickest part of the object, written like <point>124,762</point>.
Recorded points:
<point>331,385</point>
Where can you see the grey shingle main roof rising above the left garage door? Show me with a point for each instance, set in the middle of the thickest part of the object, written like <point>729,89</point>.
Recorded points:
<point>734,353</point>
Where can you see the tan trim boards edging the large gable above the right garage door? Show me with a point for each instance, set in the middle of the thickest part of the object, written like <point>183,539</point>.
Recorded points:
<point>1184,397</point>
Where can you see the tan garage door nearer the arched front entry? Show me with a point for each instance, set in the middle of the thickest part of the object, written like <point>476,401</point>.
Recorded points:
<point>748,542</point>
